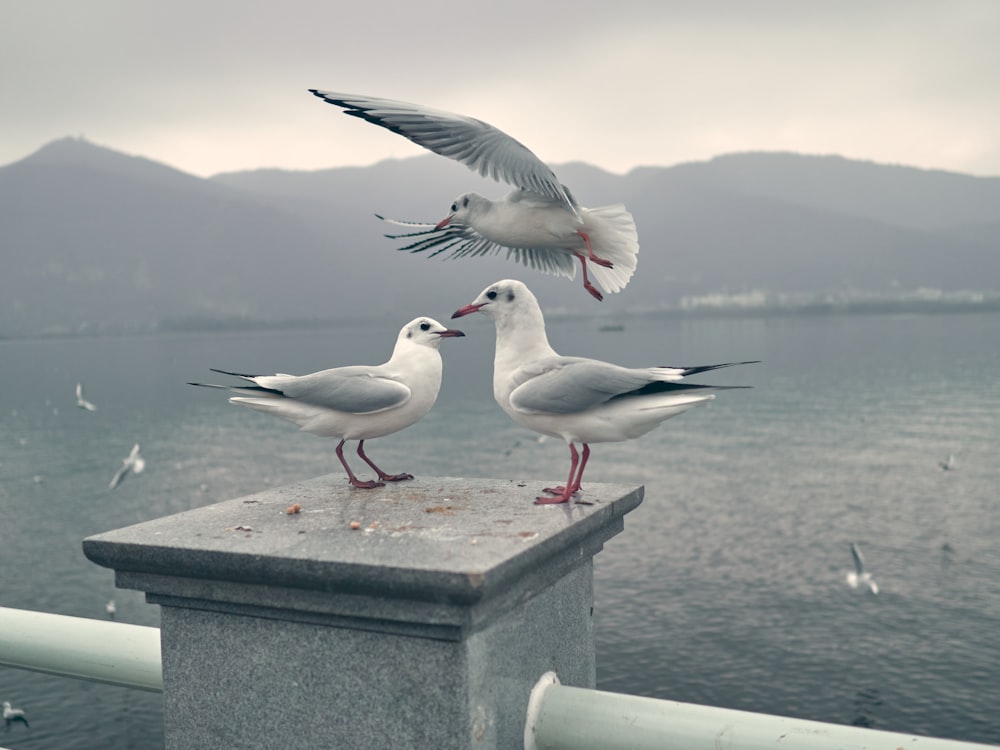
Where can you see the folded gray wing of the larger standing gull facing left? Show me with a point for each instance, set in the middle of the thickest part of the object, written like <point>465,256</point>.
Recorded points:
<point>567,385</point>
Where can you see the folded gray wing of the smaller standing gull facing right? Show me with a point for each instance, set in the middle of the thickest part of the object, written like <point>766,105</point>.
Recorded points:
<point>357,389</point>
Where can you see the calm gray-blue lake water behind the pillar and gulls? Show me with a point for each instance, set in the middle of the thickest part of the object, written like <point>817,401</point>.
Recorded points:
<point>727,586</point>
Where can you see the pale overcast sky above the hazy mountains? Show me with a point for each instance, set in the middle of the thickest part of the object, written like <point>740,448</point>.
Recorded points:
<point>220,86</point>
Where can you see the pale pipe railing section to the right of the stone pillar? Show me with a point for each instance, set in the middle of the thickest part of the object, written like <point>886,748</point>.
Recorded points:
<point>569,718</point>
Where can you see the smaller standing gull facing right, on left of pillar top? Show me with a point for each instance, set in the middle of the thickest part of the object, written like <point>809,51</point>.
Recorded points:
<point>357,402</point>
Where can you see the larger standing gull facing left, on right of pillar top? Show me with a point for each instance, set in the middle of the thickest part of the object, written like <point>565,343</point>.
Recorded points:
<point>579,400</point>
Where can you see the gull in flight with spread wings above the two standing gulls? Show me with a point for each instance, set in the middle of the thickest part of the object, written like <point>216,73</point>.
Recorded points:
<point>540,223</point>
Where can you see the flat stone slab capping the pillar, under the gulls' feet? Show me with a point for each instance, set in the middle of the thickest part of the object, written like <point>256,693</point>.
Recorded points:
<point>438,539</point>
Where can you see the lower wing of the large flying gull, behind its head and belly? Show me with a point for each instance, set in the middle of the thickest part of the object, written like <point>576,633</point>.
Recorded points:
<point>461,240</point>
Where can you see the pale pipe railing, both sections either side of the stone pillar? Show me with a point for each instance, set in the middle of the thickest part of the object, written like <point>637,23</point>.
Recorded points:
<point>559,717</point>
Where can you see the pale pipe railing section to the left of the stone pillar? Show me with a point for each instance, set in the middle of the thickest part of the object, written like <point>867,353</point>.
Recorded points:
<point>110,652</point>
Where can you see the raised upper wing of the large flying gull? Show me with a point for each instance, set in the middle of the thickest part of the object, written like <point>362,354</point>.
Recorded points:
<point>476,144</point>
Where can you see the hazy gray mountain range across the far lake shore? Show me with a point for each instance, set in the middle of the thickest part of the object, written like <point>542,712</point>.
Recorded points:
<point>93,239</point>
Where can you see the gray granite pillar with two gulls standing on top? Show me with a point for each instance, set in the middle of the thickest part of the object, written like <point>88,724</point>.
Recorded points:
<point>416,615</point>
